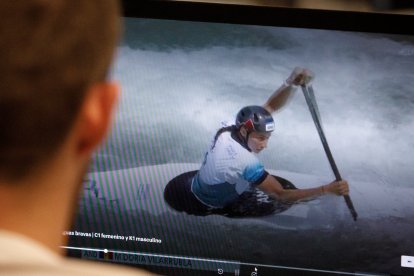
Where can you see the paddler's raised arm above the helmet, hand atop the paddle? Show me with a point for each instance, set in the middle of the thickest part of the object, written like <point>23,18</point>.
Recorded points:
<point>299,76</point>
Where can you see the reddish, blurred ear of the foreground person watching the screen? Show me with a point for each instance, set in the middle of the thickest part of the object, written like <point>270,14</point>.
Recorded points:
<point>96,114</point>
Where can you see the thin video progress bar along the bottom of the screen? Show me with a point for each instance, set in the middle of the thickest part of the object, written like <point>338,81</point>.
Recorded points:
<point>212,261</point>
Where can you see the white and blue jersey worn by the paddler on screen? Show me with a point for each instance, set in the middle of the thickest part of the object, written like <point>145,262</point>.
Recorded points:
<point>228,170</point>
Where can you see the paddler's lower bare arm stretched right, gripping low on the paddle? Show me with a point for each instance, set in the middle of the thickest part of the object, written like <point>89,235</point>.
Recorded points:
<point>272,187</point>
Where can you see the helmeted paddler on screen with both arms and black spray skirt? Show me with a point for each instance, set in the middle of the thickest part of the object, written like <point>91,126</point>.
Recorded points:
<point>232,181</point>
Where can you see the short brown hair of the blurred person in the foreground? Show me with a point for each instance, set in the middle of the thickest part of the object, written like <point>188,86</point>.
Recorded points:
<point>51,51</point>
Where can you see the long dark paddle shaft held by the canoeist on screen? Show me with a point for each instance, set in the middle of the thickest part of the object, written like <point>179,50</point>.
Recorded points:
<point>313,110</point>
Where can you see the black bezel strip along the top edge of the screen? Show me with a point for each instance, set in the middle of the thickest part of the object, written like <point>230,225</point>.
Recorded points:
<point>271,16</point>
